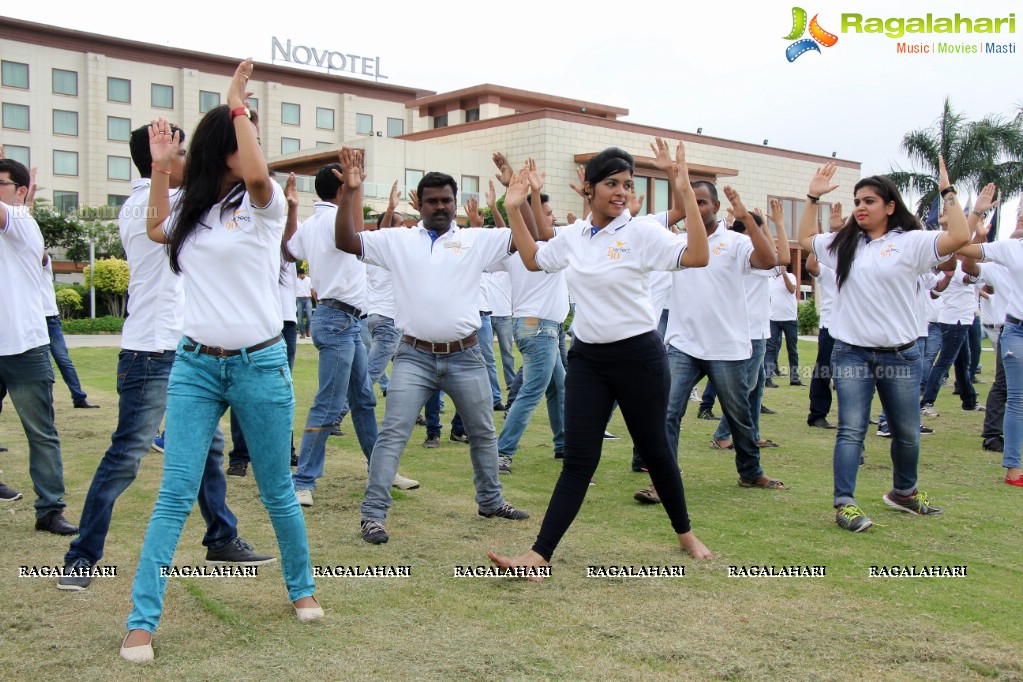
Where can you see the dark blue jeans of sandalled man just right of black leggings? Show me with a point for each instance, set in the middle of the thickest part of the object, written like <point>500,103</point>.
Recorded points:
<point>730,381</point>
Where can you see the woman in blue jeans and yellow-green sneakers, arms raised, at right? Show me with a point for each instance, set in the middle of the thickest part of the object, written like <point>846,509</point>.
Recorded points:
<point>877,257</point>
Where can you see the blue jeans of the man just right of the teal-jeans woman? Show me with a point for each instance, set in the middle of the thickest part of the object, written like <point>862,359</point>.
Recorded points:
<point>338,337</point>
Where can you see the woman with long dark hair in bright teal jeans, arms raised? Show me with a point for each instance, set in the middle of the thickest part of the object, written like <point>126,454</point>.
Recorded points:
<point>224,238</point>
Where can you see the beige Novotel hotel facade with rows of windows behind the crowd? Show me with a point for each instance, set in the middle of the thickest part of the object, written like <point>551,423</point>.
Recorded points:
<point>71,99</point>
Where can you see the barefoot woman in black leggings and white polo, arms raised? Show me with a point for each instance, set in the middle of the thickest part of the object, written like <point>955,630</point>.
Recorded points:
<point>617,354</point>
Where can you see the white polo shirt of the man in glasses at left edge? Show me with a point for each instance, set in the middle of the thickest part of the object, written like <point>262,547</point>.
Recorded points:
<point>24,325</point>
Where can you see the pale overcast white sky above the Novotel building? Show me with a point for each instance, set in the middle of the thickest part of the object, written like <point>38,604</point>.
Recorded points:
<point>718,66</point>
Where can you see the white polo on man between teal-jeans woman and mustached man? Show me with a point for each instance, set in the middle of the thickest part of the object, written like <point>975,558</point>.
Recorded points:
<point>335,275</point>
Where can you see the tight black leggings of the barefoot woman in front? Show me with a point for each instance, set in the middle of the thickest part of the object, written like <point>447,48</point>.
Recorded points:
<point>634,372</point>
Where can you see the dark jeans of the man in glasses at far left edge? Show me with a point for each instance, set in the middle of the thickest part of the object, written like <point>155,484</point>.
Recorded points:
<point>29,378</point>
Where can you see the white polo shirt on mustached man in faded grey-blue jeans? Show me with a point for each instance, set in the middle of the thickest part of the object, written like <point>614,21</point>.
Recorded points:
<point>436,284</point>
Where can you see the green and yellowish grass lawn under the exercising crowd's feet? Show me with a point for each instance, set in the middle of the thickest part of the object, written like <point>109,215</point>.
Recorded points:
<point>705,626</point>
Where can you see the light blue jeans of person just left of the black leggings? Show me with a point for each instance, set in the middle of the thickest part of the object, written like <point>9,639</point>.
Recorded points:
<point>542,374</point>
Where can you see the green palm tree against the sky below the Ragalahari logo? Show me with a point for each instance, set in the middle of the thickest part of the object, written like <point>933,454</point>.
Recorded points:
<point>976,153</point>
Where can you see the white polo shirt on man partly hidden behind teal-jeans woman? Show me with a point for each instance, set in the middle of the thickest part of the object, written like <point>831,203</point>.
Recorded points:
<point>156,295</point>
